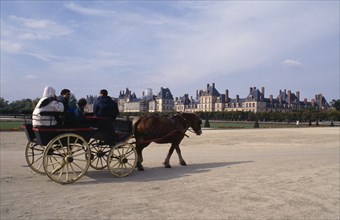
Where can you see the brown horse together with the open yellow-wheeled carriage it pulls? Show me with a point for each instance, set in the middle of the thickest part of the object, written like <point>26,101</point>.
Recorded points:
<point>64,154</point>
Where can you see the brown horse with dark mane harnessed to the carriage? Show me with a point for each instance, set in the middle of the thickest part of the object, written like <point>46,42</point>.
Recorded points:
<point>165,129</point>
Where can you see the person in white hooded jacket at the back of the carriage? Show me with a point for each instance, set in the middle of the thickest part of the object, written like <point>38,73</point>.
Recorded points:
<point>47,103</point>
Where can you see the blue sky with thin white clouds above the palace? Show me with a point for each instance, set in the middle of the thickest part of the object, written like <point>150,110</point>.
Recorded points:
<point>86,46</point>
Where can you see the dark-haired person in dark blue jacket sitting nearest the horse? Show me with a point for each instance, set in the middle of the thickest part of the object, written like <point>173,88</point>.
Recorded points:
<point>106,110</point>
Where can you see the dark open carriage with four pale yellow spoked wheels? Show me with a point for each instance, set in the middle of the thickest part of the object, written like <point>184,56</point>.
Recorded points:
<point>65,154</point>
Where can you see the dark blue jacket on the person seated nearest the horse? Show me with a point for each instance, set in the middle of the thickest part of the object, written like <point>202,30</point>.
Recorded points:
<point>104,106</point>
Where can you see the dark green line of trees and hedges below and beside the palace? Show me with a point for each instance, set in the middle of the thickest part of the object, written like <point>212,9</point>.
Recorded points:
<point>26,106</point>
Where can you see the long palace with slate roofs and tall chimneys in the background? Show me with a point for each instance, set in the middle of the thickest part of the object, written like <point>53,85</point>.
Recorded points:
<point>211,100</point>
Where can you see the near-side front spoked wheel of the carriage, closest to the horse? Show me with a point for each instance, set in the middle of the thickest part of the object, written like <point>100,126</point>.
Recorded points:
<point>122,159</point>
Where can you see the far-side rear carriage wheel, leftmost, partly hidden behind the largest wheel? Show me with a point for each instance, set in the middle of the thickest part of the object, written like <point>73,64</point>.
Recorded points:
<point>34,154</point>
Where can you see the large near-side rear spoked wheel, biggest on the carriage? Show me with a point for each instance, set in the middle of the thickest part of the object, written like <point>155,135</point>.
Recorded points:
<point>66,158</point>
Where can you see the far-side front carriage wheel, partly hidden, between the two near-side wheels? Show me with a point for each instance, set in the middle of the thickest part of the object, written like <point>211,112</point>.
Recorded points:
<point>98,155</point>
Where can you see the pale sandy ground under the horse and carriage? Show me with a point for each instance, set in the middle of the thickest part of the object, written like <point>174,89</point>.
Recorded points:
<point>231,174</point>
